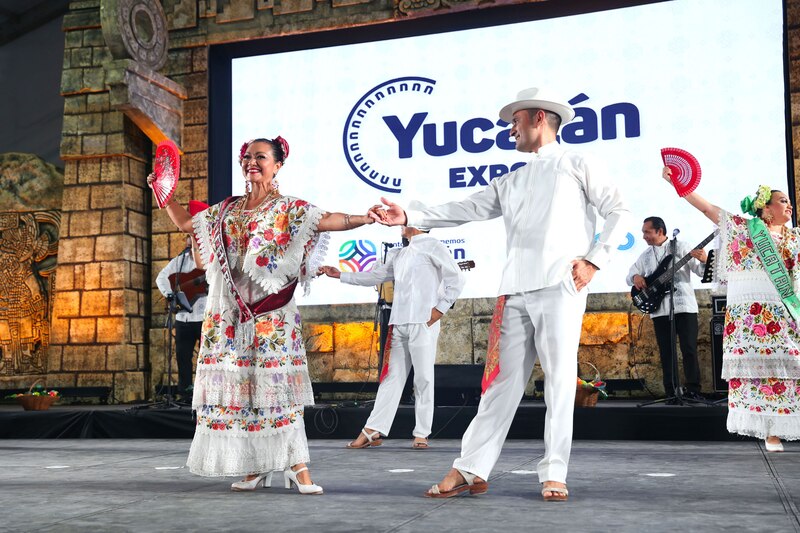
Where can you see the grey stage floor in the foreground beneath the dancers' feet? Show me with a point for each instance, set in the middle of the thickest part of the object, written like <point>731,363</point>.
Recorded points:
<point>622,486</point>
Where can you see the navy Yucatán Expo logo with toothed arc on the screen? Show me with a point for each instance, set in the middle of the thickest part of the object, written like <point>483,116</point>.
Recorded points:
<point>378,132</point>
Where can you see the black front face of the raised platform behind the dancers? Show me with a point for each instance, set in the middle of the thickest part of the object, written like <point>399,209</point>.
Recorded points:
<point>616,419</point>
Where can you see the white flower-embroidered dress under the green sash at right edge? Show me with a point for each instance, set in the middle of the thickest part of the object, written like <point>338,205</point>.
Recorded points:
<point>761,341</point>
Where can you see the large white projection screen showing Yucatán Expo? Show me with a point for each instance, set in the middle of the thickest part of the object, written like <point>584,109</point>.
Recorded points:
<point>415,117</point>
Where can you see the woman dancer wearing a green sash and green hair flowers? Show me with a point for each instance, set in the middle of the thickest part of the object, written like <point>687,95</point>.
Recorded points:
<point>761,342</point>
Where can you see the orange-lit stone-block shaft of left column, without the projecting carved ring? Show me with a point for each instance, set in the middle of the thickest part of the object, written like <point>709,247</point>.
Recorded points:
<point>99,335</point>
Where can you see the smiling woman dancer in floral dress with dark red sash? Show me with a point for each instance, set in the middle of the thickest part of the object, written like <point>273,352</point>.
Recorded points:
<point>252,380</point>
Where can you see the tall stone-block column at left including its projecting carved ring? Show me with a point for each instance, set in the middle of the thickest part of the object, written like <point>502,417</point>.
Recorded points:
<point>103,277</point>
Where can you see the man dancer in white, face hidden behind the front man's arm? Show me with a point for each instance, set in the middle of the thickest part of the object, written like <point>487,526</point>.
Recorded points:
<point>427,281</point>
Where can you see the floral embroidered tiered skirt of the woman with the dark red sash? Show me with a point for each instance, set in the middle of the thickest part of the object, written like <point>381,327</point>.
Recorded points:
<point>249,402</point>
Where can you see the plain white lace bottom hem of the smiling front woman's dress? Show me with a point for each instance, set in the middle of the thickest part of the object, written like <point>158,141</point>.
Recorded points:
<point>221,455</point>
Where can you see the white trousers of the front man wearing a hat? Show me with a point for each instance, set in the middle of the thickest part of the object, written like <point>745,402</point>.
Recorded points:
<point>545,323</point>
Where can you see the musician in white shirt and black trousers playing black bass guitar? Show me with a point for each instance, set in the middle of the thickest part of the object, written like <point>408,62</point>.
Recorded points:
<point>646,268</point>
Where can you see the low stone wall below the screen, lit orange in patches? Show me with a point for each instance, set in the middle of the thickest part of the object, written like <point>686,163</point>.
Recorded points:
<point>616,340</point>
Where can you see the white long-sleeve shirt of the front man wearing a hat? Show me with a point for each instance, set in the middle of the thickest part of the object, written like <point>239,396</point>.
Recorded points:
<point>549,208</point>
